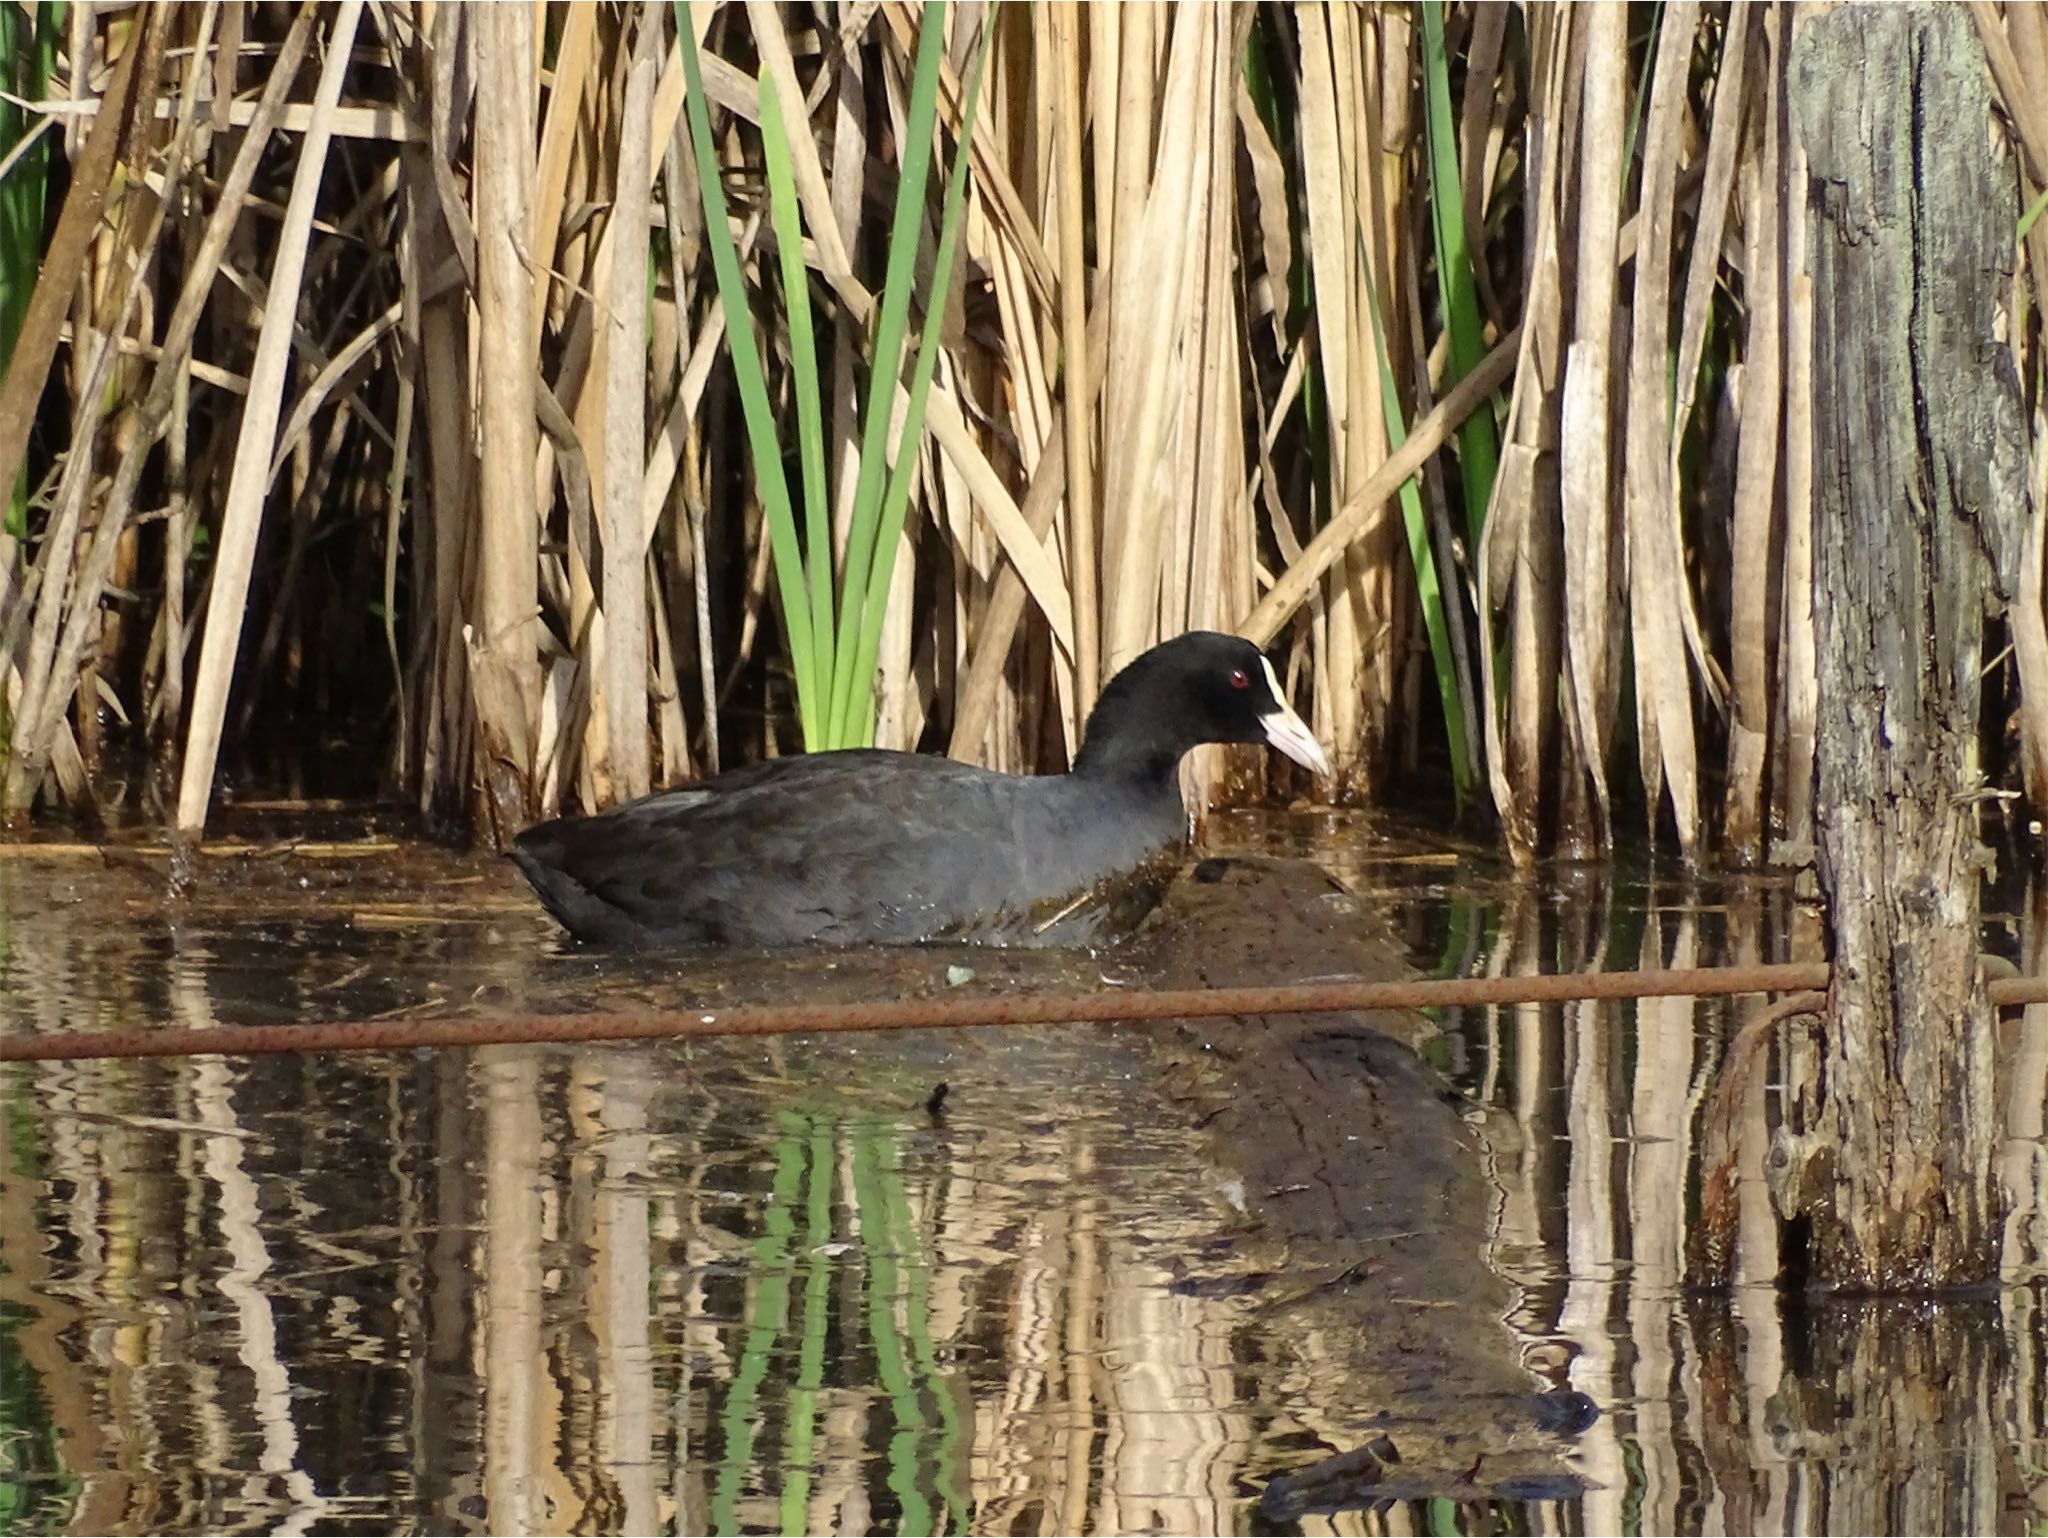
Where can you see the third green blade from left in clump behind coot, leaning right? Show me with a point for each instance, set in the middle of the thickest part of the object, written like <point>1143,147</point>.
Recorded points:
<point>886,364</point>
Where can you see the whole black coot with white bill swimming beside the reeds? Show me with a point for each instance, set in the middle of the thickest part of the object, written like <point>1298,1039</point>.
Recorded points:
<point>876,847</point>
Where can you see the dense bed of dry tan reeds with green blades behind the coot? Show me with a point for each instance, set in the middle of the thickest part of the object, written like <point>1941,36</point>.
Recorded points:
<point>531,404</point>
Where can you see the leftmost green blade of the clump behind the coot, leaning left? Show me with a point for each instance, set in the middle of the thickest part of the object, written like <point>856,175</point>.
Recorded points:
<point>755,400</point>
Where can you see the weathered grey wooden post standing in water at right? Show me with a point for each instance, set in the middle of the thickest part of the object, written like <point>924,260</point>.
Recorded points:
<point>1920,462</point>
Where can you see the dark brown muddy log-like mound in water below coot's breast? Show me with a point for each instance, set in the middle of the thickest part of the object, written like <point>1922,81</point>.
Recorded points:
<point>1365,1197</point>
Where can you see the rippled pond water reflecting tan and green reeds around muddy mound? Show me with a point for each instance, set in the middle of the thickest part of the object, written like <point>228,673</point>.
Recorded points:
<point>787,1287</point>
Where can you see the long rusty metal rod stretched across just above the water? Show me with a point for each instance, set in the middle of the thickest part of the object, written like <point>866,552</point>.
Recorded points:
<point>949,1013</point>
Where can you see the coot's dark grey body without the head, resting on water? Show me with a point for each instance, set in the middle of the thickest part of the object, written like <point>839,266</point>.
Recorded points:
<point>851,847</point>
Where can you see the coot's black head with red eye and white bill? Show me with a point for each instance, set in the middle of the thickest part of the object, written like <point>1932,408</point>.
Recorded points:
<point>1199,687</point>
